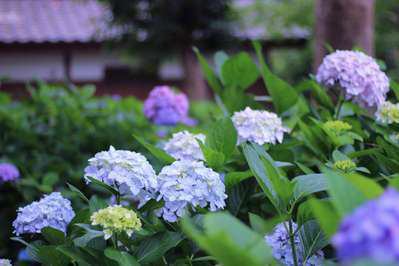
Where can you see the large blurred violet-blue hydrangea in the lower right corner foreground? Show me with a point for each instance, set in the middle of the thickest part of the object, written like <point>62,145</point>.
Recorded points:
<point>371,231</point>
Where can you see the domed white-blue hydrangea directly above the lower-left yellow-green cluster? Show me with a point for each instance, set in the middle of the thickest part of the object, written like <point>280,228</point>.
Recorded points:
<point>130,172</point>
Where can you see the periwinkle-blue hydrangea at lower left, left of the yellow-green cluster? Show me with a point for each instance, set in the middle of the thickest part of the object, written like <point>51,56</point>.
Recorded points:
<point>51,211</point>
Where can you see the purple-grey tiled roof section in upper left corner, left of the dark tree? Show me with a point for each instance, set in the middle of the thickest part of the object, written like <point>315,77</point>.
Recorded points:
<point>38,21</point>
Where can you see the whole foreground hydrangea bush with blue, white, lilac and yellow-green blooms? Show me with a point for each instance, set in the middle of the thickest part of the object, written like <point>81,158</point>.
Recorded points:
<point>309,179</point>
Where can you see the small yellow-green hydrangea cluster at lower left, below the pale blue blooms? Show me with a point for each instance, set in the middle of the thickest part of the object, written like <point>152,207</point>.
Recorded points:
<point>116,219</point>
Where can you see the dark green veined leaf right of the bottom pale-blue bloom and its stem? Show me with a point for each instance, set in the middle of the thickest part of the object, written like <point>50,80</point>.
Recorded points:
<point>312,238</point>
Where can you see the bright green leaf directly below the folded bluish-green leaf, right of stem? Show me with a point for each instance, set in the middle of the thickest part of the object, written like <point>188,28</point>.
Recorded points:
<point>326,215</point>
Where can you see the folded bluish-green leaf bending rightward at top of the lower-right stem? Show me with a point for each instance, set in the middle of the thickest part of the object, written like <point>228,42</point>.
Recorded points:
<point>305,185</point>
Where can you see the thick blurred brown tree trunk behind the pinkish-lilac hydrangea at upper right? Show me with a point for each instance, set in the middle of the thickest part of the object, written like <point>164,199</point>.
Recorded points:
<point>343,24</point>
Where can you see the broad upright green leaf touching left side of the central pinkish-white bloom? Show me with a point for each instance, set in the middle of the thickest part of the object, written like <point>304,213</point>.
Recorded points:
<point>222,137</point>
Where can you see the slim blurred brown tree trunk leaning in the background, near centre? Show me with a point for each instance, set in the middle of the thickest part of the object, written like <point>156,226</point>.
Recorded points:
<point>194,82</point>
